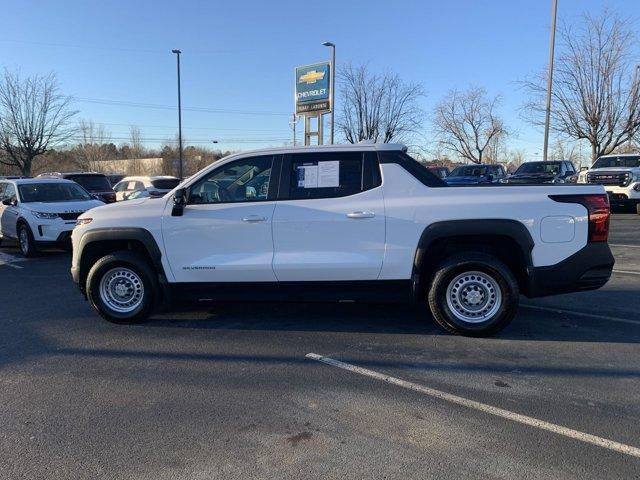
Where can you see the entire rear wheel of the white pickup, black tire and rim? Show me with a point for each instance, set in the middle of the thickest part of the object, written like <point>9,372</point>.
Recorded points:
<point>500,306</point>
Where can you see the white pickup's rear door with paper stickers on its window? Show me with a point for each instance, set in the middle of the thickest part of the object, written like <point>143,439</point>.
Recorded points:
<point>329,221</point>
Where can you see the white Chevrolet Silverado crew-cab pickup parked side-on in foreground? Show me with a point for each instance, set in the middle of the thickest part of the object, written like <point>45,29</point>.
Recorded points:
<point>343,223</point>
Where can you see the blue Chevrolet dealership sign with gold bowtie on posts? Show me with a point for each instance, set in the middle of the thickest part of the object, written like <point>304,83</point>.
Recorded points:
<point>313,84</point>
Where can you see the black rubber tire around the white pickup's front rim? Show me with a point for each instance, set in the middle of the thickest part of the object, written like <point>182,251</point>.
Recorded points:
<point>122,261</point>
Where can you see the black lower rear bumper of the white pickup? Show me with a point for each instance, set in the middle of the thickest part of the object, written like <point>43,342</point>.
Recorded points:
<point>587,269</point>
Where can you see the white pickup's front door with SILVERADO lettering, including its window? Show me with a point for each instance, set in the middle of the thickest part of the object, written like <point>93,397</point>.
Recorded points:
<point>224,234</point>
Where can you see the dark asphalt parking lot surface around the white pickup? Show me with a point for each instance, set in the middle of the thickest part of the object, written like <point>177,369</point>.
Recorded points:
<point>231,391</point>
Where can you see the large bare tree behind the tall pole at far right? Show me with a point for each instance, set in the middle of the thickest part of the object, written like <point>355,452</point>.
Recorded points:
<point>594,97</point>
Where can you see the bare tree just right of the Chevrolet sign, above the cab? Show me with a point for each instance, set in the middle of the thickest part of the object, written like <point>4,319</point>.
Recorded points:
<point>375,107</point>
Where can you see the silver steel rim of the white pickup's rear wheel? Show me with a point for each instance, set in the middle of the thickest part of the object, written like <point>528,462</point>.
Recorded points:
<point>474,297</point>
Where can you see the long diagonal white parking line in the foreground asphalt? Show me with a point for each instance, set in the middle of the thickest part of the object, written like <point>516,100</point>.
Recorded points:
<point>483,407</point>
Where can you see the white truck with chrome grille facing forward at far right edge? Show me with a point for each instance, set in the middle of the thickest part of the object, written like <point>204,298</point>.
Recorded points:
<point>620,175</point>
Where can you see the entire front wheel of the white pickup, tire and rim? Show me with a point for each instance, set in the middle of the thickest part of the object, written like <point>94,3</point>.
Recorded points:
<point>121,287</point>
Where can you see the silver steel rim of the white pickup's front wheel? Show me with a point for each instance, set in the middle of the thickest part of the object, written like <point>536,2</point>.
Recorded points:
<point>122,290</point>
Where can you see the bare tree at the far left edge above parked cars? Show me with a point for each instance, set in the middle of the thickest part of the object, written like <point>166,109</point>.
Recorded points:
<point>34,116</point>
